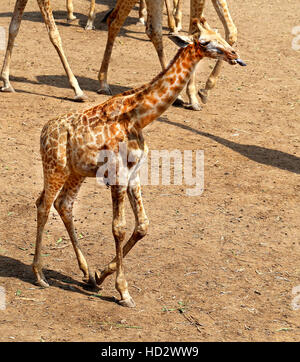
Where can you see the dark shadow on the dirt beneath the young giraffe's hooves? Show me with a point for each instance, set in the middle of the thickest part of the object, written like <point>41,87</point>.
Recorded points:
<point>13,268</point>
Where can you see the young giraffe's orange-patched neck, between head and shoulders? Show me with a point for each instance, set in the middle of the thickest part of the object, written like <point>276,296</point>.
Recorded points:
<point>154,99</point>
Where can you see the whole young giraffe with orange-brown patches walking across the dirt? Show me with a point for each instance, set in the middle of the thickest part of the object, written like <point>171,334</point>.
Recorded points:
<point>71,146</point>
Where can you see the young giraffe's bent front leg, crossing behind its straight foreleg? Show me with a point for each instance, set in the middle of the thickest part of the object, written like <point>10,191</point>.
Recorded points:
<point>140,230</point>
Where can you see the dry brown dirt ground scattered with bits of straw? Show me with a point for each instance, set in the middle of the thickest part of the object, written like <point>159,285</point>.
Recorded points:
<point>222,266</point>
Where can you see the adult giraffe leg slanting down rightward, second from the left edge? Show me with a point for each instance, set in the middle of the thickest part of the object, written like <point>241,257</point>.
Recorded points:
<point>56,41</point>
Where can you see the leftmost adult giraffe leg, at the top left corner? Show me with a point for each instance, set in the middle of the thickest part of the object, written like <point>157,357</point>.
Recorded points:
<point>13,32</point>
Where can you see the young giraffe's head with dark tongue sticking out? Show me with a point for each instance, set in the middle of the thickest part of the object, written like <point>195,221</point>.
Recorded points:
<point>208,43</point>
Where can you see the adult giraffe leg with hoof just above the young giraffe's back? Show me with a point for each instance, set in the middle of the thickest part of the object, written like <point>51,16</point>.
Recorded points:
<point>115,21</point>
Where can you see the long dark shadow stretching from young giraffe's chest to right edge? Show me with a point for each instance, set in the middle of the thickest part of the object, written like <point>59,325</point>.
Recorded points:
<point>263,155</point>
